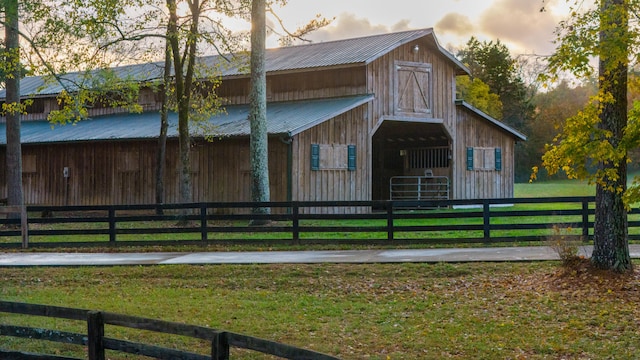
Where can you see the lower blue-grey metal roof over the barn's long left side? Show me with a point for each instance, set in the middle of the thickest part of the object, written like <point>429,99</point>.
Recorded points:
<point>288,118</point>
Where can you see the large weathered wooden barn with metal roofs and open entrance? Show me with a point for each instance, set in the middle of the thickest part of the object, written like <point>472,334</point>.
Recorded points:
<point>369,118</point>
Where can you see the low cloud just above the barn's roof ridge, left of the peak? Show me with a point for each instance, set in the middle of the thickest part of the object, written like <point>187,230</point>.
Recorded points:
<point>348,25</point>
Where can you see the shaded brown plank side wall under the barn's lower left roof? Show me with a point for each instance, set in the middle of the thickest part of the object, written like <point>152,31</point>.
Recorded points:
<point>124,172</point>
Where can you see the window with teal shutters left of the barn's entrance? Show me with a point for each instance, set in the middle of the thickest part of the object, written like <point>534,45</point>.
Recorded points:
<point>333,157</point>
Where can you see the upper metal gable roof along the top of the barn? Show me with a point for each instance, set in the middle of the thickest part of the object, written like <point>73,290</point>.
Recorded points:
<point>340,53</point>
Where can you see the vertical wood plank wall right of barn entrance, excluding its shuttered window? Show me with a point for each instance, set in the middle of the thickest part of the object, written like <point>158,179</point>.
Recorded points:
<point>475,132</point>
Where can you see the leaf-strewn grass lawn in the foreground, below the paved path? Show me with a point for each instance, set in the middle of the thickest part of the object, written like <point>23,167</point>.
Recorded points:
<point>379,311</point>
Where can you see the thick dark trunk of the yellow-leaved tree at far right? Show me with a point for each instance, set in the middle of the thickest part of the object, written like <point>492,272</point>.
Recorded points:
<point>611,243</point>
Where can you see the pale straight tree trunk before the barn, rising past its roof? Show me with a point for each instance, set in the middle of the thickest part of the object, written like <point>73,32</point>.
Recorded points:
<point>258,150</point>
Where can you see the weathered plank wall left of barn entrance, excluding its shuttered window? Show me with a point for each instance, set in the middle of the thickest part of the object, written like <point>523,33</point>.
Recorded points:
<point>326,184</point>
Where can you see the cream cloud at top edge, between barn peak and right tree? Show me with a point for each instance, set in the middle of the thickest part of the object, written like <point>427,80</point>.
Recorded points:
<point>521,24</point>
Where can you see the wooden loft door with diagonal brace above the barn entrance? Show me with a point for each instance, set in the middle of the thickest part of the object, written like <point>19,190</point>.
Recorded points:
<point>413,89</point>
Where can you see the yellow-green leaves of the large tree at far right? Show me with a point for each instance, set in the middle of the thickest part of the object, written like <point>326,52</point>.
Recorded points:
<point>583,142</point>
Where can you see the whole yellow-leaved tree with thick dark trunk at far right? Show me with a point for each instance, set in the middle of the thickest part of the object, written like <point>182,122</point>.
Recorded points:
<point>601,134</point>
